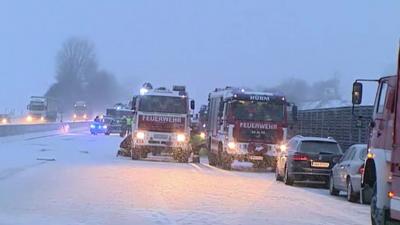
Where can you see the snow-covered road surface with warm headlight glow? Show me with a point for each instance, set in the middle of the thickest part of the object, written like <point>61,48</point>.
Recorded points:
<point>88,185</point>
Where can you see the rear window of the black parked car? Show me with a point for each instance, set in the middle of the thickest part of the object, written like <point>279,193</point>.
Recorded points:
<point>320,147</point>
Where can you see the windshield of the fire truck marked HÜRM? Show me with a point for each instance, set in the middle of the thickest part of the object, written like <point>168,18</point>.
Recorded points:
<point>259,111</point>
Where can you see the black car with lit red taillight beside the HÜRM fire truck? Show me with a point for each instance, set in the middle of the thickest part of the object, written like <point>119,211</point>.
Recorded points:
<point>307,160</point>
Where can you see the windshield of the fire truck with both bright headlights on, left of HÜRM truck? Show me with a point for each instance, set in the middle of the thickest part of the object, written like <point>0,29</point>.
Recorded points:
<point>163,104</point>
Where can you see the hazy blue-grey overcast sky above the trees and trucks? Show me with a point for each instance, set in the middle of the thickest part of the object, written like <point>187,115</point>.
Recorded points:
<point>203,44</point>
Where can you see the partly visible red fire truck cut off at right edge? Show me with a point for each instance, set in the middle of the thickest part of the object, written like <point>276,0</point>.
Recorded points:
<point>381,177</point>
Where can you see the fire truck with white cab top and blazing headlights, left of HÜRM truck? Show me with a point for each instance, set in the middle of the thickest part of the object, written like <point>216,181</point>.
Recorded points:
<point>161,123</point>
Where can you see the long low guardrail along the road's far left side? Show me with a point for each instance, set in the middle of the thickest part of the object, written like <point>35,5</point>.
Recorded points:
<point>18,129</point>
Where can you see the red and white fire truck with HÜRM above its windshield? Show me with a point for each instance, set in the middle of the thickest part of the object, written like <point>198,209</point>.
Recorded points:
<point>245,126</point>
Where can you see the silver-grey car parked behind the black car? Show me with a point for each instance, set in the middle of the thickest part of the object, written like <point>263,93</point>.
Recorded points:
<point>346,174</point>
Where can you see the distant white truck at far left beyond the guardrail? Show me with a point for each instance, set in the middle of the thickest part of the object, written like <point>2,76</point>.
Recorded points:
<point>42,109</point>
